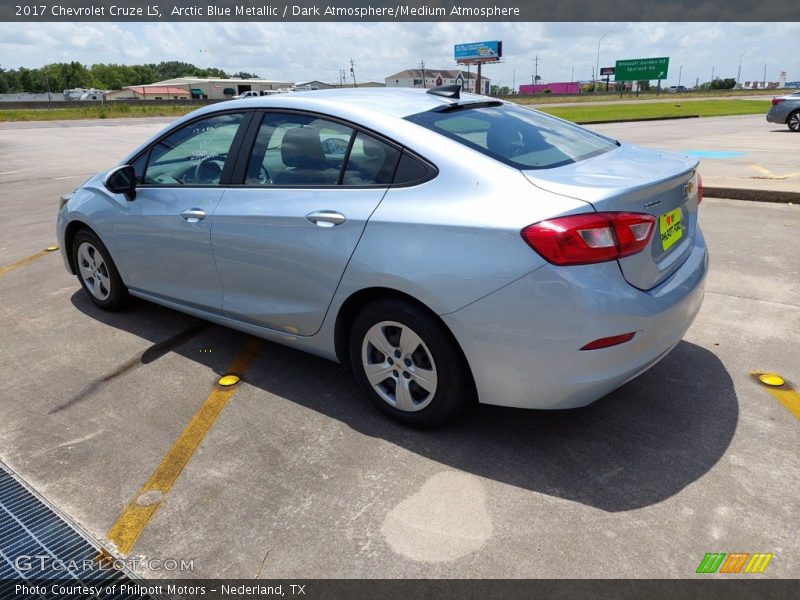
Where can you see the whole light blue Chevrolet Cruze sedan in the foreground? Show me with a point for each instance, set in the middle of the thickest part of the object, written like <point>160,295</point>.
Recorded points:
<point>447,247</point>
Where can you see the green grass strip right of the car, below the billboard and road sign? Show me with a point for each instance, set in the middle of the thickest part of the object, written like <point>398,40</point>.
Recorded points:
<point>633,112</point>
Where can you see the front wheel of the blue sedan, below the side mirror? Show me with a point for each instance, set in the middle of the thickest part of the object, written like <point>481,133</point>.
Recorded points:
<point>117,297</point>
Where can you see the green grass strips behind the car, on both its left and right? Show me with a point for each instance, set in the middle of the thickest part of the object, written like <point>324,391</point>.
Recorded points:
<point>629,111</point>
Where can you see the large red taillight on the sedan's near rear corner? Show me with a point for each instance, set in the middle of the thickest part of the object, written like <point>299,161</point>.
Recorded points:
<point>590,238</point>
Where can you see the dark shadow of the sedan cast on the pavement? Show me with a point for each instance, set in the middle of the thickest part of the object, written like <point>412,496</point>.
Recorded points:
<point>639,445</point>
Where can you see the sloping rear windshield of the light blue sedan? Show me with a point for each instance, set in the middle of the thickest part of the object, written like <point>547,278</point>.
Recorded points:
<point>517,136</point>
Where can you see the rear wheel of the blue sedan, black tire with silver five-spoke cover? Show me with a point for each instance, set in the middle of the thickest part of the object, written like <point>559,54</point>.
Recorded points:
<point>454,387</point>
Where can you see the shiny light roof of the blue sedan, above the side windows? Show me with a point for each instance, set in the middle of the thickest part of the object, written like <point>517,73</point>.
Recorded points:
<point>393,101</point>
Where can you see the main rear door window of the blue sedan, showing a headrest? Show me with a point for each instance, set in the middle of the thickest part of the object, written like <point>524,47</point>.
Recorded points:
<point>297,150</point>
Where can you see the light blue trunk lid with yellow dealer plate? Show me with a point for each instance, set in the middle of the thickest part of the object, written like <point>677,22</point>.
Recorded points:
<point>640,180</point>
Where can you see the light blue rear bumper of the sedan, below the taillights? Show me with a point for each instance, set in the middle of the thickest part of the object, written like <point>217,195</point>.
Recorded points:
<point>522,342</point>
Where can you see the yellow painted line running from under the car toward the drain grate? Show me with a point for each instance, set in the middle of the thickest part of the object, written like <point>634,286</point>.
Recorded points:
<point>131,523</point>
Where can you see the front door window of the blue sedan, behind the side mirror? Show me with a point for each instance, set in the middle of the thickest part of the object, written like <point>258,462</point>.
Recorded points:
<point>194,154</point>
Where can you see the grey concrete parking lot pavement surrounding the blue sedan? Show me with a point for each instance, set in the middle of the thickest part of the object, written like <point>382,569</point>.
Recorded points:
<point>299,477</point>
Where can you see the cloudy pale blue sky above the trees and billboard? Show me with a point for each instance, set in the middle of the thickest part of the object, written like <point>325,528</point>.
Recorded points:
<point>305,51</point>
